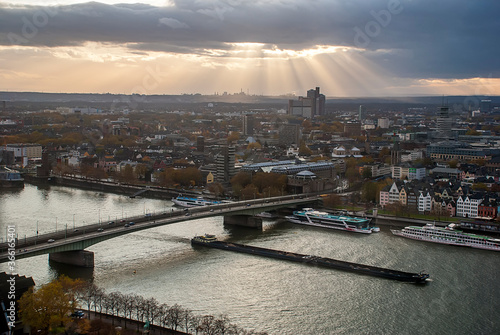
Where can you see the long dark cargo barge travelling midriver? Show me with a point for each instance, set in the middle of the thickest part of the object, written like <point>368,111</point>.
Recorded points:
<point>212,242</point>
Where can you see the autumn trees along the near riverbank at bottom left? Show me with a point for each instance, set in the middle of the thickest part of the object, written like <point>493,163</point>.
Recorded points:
<point>47,310</point>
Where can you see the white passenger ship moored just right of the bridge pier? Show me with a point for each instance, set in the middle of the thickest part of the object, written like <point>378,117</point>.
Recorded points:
<point>311,217</point>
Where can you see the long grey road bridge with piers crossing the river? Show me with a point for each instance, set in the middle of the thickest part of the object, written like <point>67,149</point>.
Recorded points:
<point>68,246</point>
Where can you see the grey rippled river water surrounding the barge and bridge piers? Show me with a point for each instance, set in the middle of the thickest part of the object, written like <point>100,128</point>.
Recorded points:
<point>265,294</point>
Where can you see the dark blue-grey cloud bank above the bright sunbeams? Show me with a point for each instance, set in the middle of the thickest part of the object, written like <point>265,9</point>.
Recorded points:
<point>414,39</point>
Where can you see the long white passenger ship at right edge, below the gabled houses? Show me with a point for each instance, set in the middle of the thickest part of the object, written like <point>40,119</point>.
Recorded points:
<point>448,235</point>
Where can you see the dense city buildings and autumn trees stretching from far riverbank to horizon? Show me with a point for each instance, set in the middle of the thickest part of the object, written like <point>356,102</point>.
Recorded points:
<point>424,157</point>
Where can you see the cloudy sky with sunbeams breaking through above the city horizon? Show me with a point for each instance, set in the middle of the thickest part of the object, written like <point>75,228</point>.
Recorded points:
<point>347,47</point>
